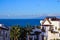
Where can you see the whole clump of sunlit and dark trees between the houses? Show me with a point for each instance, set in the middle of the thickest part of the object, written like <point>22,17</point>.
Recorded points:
<point>18,32</point>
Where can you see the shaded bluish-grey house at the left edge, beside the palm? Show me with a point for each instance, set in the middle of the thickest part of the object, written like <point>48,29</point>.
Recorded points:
<point>4,32</point>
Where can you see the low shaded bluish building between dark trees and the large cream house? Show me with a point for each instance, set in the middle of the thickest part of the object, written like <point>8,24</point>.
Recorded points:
<point>34,35</point>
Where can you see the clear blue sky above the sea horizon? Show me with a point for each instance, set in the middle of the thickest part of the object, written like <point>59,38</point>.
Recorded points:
<point>29,8</point>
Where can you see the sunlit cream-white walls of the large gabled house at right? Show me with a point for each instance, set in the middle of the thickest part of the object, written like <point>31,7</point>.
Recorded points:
<point>52,35</point>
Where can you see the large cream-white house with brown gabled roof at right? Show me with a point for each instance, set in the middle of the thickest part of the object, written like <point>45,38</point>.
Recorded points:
<point>51,26</point>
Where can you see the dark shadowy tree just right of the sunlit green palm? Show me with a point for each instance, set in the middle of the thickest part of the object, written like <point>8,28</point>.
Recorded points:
<point>24,31</point>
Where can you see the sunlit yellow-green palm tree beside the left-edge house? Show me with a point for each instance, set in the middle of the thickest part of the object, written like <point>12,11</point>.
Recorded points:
<point>15,32</point>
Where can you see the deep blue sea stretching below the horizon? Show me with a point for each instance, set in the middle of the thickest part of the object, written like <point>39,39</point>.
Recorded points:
<point>22,22</point>
